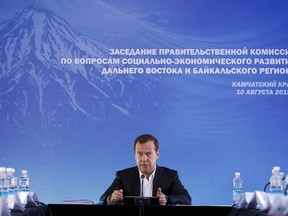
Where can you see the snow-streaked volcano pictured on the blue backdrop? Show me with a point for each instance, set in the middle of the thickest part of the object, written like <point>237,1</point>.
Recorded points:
<point>35,88</point>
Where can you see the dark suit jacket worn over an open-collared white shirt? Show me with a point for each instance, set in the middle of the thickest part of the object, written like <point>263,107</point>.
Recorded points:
<point>165,178</point>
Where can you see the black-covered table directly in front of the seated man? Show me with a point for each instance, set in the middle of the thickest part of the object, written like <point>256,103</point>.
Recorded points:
<point>133,210</point>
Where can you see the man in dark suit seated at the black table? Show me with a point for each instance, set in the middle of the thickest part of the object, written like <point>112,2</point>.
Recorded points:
<point>147,179</point>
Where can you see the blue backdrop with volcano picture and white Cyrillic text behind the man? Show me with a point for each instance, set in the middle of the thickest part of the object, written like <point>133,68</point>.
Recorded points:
<point>80,79</point>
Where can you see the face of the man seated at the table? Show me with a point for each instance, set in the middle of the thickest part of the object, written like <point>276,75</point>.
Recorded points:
<point>146,156</point>
